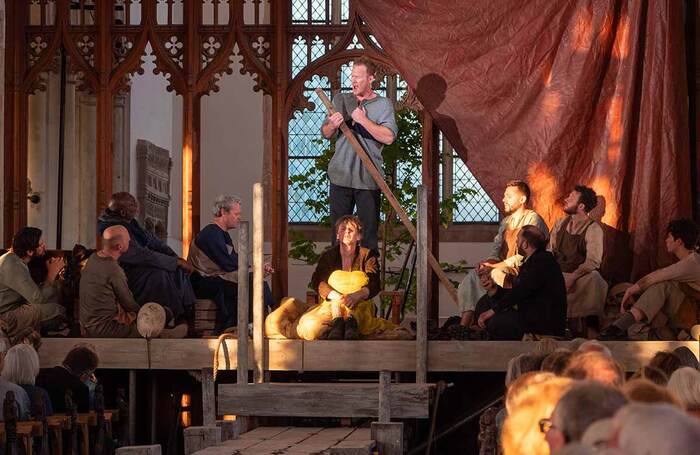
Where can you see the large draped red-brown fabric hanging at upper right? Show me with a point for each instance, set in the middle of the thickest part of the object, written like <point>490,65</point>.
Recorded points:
<point>557,93</point>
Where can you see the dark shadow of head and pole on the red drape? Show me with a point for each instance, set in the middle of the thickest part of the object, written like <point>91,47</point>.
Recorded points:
<point>431,92</point>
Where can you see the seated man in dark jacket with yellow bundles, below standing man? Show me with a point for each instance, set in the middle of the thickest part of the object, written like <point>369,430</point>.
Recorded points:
<point>346,279</point>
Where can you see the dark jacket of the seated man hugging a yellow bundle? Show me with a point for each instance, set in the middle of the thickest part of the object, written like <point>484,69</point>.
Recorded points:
<point>365,261</point>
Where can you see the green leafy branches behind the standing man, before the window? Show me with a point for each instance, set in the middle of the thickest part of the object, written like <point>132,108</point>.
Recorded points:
<point>402,165</point>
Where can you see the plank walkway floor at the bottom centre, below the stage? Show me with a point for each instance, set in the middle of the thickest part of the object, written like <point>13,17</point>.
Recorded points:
<point>287,441</point>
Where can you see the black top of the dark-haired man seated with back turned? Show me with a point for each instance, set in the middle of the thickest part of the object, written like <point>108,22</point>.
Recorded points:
<point>539,292</point>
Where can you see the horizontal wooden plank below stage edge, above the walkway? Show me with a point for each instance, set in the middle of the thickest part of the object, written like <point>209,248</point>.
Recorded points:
<point>322,400</point>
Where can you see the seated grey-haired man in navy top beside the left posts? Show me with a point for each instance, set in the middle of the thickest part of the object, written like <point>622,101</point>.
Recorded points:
<point>215,262</point>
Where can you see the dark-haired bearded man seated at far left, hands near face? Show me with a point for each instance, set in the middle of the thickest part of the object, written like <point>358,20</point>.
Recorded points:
<point>24,304</point>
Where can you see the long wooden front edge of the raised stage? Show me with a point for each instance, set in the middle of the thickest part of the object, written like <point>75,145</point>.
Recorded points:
<point>298,355</point>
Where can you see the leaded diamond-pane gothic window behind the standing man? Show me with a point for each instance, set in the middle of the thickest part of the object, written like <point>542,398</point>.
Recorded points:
<point>316,21</point>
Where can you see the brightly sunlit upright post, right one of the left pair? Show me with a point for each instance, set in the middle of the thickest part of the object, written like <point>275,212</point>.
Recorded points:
<point>258,301</point>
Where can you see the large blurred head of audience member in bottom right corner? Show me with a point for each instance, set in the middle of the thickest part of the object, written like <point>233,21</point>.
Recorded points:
<point>655,429</point>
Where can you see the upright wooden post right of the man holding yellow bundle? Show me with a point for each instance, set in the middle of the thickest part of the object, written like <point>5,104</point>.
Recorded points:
<point>422,288</point>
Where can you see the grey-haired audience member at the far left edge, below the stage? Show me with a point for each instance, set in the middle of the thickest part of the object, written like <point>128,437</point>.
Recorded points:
<point>21,366</point>
